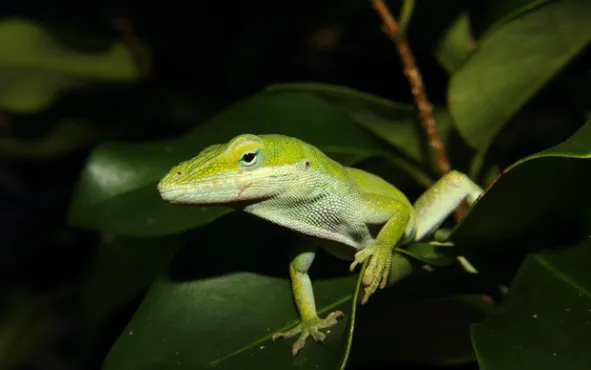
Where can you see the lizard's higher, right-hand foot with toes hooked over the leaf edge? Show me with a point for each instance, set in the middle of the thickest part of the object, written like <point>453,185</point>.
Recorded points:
<point>377,271</point>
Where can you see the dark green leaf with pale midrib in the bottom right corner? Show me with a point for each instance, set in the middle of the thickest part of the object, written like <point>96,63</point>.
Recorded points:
<point>545,320</point>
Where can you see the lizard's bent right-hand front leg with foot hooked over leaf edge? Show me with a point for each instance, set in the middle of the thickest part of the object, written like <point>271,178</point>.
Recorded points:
<point>380,251</point>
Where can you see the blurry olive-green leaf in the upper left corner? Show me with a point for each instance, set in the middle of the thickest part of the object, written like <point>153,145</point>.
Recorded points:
<point>35,72</point>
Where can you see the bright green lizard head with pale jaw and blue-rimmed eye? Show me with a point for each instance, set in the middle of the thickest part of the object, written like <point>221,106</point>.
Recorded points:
<point>247,168</point>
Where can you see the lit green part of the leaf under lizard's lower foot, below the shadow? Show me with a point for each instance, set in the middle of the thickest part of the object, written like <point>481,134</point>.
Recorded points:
<point>227,323</point>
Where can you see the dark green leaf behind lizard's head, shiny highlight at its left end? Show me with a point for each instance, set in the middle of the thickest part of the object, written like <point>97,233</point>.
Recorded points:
<point>117,190</point>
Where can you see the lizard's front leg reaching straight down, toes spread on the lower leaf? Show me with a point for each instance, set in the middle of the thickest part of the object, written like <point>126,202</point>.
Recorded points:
<point>303,294</point>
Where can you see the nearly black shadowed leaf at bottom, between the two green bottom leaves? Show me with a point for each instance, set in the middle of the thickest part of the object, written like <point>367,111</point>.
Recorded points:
<point>430,331</point>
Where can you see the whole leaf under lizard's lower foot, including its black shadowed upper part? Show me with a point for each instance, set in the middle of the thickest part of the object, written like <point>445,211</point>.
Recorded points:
<point>213,311</point>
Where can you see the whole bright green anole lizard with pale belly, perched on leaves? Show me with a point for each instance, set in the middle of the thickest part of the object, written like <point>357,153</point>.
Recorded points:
<point>356,215</point>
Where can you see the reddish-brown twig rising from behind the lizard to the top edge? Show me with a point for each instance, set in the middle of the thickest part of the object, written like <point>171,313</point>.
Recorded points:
<point>424,107</point>
